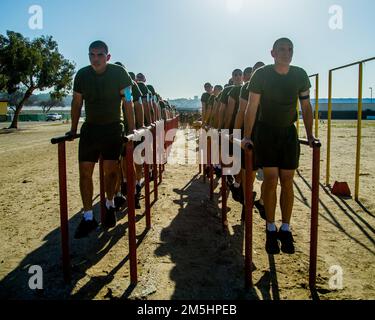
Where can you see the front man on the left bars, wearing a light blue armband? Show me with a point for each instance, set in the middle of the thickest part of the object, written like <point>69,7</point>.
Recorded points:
<point>103,87</point>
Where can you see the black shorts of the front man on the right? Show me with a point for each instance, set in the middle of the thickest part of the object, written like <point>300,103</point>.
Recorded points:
<point>276,147</point>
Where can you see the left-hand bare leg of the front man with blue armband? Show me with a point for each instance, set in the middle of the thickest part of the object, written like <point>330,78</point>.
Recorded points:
<point>85,184</point>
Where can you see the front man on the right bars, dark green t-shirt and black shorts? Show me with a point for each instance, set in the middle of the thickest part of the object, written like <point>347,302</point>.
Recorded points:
<point>274,90</point>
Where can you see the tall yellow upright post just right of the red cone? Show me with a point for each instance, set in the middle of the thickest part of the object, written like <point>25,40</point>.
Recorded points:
<point>359,131</point>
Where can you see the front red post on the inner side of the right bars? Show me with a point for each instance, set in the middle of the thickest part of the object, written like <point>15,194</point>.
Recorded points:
<point>248,218</point>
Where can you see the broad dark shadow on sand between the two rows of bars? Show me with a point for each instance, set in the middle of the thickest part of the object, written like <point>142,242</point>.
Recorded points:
<point>208,264</point>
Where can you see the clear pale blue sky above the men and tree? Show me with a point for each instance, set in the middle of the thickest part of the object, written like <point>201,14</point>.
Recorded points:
<point>180,44</point>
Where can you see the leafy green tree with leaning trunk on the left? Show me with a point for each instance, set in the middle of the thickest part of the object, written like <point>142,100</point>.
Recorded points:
<point>27,66</point>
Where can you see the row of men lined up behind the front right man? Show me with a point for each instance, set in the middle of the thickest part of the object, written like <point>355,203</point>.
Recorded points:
<point>225,109</point>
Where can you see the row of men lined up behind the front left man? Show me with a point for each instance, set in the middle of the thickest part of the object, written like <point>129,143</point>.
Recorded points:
<point>149,107</point>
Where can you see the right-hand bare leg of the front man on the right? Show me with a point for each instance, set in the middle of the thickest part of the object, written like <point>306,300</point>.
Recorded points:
<point>287,194</point>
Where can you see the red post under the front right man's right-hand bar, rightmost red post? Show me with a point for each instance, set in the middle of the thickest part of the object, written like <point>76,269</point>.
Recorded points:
<point>314,215</point>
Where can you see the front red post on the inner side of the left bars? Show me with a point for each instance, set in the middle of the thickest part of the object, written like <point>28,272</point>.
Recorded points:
<point>131,212</point>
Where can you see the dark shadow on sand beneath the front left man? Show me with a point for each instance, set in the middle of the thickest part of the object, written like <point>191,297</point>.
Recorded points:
<point>84,254</point>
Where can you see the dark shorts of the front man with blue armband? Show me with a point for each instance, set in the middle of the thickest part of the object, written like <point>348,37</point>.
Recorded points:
<point>96,140</point>
